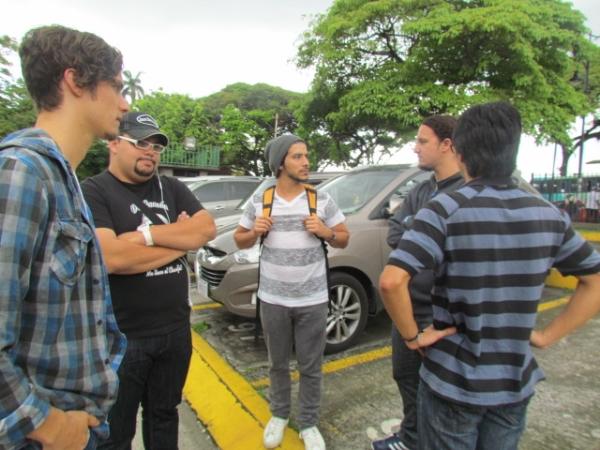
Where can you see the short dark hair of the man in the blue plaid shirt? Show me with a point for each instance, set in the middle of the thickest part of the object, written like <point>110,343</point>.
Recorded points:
<point>46,52</point>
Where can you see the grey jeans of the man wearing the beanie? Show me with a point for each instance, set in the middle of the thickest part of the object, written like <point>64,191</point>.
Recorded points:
<point>304,328</point>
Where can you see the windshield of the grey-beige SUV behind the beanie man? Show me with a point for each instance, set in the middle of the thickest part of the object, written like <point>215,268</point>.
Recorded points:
<point>353,190</point>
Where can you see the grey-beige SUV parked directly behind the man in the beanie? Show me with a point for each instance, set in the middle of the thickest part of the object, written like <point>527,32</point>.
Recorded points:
<point>229,276</point>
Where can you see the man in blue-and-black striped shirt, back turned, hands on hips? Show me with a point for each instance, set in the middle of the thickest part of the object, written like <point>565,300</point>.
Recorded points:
<point>491,245</point>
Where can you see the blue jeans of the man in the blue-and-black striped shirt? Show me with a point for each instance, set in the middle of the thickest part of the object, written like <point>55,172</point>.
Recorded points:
<point>445,425</point>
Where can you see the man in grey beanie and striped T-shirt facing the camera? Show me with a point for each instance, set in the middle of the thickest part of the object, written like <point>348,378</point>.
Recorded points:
<point>293,289</point>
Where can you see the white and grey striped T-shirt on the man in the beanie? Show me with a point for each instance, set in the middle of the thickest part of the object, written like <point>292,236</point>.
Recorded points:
<point>292,265</point>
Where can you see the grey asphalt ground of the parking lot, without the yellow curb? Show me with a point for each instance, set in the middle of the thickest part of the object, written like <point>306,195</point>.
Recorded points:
<point>361,402</point>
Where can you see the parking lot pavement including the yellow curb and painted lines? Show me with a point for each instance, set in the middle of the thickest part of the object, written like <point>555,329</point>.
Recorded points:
<point>361,401</point>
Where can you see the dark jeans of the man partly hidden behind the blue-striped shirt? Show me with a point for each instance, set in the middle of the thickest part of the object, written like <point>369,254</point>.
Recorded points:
<point>405,368</point>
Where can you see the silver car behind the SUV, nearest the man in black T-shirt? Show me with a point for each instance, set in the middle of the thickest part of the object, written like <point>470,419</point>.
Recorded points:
<point>221,194</point>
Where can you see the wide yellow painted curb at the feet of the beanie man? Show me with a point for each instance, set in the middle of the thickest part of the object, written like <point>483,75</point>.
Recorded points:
<point>224,401</point>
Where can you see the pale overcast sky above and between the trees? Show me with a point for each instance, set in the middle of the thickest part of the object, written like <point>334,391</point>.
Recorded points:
<point>198,47</point>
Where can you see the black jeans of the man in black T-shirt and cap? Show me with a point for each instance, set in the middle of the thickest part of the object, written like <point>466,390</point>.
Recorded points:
<point>153,373</point>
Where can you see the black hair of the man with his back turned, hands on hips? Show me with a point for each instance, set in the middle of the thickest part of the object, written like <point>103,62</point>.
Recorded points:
<point>487,136</point>
